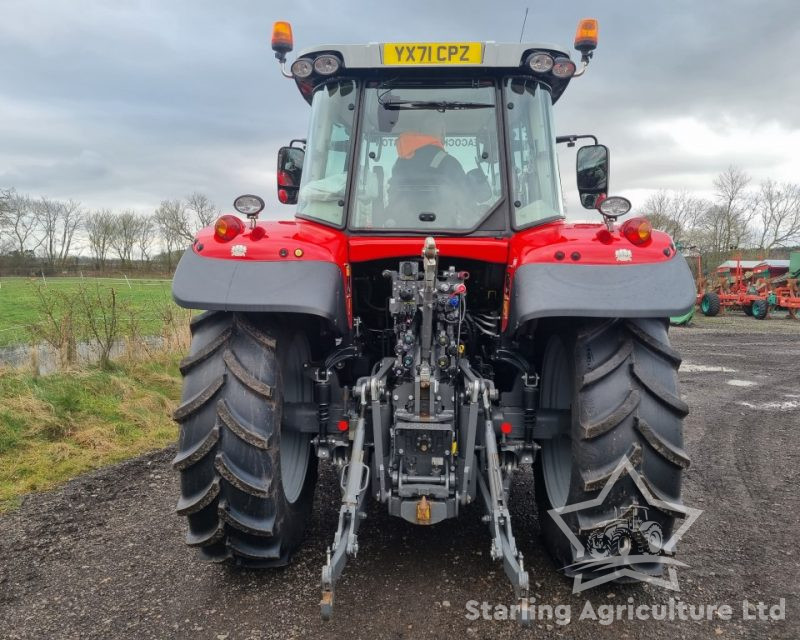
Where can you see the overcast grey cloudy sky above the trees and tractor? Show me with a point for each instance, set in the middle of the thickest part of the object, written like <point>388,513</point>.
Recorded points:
<point>123,103</point>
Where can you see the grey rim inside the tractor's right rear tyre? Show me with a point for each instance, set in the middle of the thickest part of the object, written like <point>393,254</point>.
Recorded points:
<point>556,452</point>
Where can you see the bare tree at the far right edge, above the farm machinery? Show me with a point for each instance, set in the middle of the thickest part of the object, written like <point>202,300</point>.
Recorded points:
<point>777,209</point>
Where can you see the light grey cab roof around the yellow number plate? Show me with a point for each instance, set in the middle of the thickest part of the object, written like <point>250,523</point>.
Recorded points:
<point>367,60</point>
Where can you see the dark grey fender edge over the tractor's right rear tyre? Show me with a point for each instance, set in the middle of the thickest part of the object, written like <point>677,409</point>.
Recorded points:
<point>655,290</point>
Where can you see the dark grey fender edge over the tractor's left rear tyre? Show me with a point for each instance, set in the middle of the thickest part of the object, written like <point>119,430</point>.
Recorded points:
<point>292,286</point>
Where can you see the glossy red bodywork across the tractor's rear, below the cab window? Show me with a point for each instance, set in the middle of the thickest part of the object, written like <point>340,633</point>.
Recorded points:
<point>573,243</point>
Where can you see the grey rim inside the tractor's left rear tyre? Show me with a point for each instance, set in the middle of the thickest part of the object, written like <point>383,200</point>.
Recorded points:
<point>295,446</point>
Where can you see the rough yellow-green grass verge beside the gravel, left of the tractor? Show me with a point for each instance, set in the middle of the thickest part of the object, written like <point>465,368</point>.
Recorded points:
<point>58,426</point>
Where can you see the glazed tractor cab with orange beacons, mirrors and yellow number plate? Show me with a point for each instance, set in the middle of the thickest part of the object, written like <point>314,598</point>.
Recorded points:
<point>452,138</point>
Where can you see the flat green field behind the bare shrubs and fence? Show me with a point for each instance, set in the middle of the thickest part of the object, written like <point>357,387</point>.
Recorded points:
<point>20,307</point>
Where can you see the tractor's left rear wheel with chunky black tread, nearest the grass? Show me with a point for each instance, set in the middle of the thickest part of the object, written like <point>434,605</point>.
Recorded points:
<point>247,485</point>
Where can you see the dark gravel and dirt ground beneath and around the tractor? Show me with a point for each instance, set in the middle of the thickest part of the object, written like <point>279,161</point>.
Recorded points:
<point>103,556</point>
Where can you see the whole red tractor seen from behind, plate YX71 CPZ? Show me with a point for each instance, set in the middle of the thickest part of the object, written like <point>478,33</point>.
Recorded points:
<point>429,322</point>
